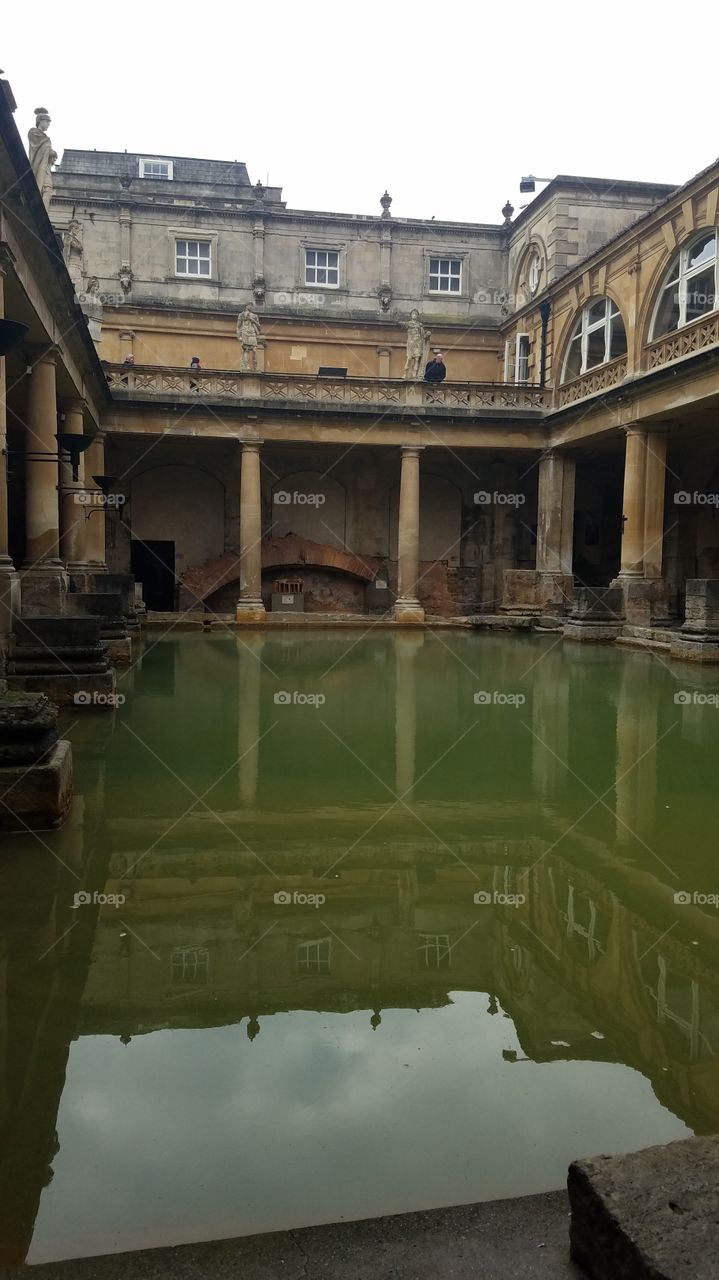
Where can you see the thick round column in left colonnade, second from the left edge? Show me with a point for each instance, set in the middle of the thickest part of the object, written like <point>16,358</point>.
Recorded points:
<point>44,587</point>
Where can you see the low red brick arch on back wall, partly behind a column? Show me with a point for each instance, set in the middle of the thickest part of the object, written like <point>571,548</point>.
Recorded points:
<point>290,552</point>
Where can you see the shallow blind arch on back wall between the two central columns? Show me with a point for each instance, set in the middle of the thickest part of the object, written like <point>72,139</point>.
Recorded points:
<point>310,505</point>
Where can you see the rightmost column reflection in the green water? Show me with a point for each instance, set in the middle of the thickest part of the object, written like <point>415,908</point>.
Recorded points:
<point>636,742</point>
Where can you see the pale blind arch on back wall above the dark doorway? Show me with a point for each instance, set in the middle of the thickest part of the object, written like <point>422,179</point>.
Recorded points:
<point>181,504</point>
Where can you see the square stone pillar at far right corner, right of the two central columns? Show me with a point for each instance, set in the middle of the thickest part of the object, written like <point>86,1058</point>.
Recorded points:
<point>556,531</point>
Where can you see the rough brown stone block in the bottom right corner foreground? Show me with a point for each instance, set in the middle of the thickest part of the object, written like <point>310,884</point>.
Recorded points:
<point>651,1215</point>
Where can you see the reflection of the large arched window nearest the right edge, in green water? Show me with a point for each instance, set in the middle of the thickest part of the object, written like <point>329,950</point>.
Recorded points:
<point>681,1005</point>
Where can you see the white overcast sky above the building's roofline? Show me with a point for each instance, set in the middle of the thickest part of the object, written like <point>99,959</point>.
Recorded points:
<point>447,106</point>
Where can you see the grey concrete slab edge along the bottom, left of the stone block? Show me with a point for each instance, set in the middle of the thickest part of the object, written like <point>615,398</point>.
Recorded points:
<point>512,1240</point>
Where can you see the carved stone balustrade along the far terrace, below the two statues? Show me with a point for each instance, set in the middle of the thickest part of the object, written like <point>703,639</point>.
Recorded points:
<point>153,383</point>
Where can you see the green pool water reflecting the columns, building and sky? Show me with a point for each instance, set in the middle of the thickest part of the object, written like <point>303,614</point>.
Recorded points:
<point>210,1059</point>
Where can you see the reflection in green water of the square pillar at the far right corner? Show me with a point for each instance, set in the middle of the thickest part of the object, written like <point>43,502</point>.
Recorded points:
<point>551,723</point>
